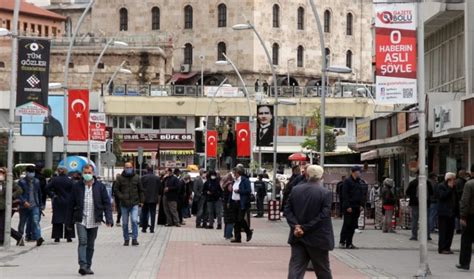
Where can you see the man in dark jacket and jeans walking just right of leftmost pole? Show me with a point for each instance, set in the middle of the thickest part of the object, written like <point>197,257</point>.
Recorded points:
<point>30,205</point>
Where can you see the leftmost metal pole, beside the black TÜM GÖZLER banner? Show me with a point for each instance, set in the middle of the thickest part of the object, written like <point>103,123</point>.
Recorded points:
<point>11,124</point>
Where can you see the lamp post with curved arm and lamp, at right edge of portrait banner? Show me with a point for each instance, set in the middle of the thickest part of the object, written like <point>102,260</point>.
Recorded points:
<point>247,26</point>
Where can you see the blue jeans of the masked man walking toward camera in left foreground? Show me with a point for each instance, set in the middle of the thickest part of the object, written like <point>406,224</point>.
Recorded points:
<point>85,249</point>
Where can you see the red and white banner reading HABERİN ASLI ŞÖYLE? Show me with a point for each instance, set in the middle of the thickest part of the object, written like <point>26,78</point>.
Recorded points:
<point>395,44</point>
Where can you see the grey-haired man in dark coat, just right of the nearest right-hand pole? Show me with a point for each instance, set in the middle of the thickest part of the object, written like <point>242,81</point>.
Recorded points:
<point>447,212</point>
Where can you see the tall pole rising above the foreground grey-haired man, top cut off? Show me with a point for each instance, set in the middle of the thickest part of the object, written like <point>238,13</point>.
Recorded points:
<point>323,85</point>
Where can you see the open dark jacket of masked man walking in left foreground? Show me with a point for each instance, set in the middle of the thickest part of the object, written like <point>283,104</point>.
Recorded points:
<point>102,205</point>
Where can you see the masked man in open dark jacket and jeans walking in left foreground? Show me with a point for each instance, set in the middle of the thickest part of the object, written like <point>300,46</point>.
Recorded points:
<point>88,204</point>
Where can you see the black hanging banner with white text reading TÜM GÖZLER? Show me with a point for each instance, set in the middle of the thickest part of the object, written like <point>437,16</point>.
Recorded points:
<point>33,77</point>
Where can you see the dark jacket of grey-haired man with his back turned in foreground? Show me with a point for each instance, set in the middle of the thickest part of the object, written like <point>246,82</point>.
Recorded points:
<point>309,205</point>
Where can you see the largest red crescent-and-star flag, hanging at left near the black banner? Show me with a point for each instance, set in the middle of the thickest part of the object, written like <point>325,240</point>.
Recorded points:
<point>78,114</point>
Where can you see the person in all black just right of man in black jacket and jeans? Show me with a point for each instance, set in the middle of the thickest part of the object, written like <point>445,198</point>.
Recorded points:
<point>151,184</point>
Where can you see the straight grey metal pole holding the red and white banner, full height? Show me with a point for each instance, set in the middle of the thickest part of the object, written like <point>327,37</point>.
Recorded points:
<point>424,268</point>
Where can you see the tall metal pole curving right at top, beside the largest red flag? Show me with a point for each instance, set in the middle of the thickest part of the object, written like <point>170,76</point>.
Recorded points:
<point>66,73</point>
